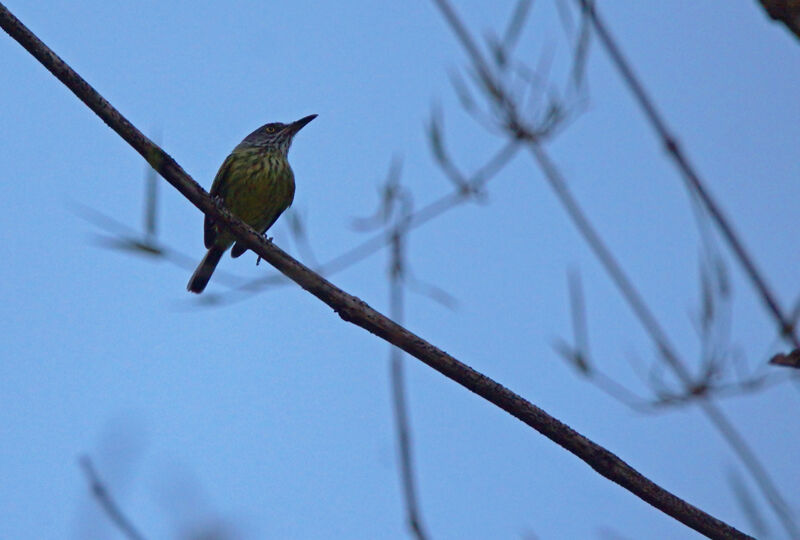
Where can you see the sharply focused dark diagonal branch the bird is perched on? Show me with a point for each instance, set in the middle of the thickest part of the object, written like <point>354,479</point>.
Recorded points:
<point>356,311</point>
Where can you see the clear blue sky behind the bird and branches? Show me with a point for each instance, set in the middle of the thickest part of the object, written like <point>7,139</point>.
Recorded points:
<point>272,415</point>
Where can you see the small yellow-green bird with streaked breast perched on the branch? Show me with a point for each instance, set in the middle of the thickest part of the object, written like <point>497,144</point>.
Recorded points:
<point>256,184</point>
